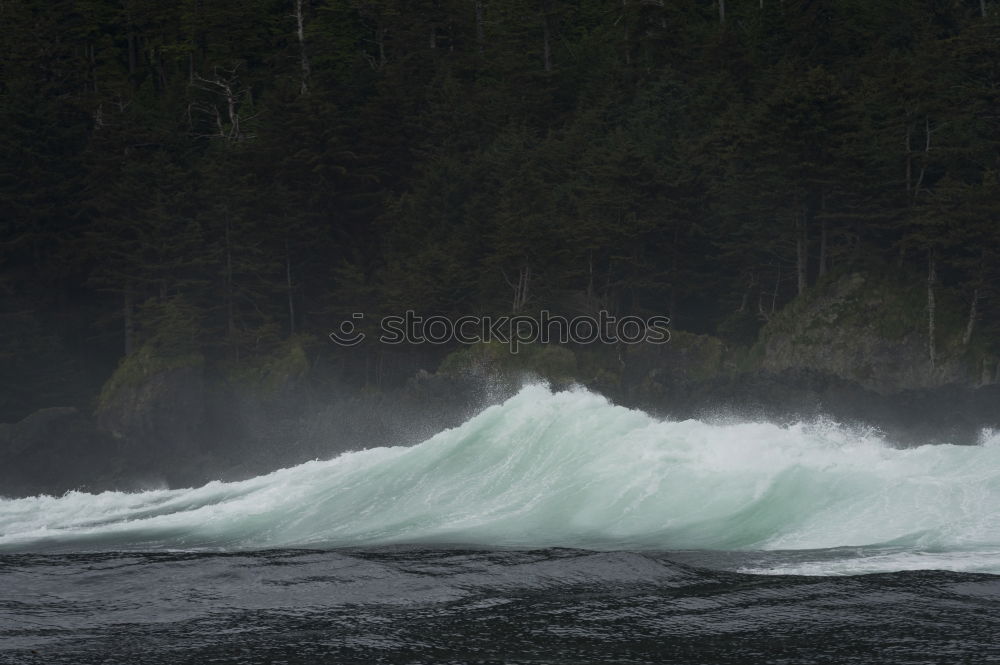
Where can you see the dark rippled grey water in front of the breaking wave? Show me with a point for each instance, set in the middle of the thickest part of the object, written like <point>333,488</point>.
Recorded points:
<point>409,605</point>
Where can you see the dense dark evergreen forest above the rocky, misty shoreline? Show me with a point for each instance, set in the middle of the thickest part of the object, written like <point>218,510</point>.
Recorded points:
<point>217,178</point>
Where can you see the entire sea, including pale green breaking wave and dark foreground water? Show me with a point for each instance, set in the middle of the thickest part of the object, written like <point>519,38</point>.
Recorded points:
<point>553,528</point>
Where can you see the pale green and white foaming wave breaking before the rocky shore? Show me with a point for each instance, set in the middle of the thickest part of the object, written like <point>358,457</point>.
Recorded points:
<point>569,469</point>
